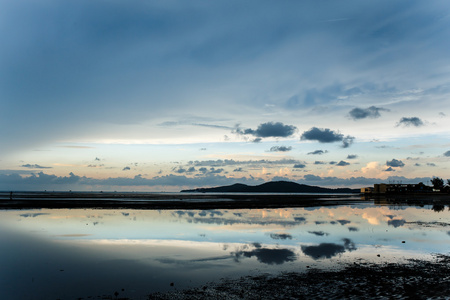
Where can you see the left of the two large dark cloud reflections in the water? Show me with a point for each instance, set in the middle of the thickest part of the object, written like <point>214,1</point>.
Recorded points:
<point>268,256</point>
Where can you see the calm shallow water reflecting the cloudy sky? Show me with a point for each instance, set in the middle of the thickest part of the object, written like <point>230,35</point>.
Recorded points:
<point>66,254</point>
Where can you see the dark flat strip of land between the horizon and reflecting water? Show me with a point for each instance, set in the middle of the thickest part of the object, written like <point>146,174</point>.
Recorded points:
<point>118,200</point>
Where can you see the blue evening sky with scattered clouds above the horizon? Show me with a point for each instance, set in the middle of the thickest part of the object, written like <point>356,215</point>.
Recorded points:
<point>168,95</point>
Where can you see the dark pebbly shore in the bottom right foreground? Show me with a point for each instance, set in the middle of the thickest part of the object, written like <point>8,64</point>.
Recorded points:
<point>415,280</point>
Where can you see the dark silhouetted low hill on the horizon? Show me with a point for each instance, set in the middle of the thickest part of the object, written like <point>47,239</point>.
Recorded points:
<point>271,187</point>
